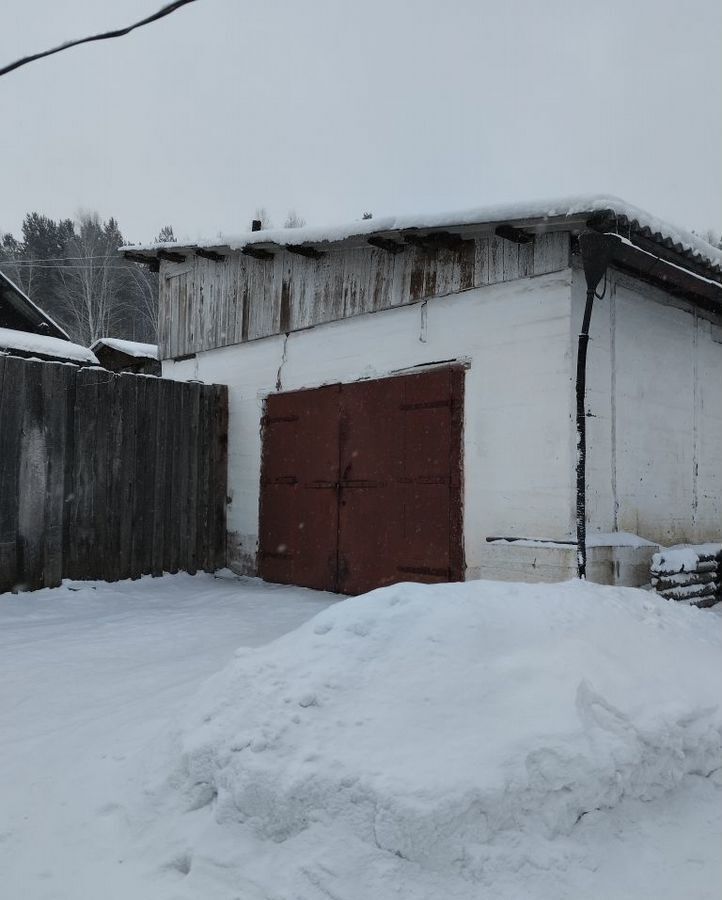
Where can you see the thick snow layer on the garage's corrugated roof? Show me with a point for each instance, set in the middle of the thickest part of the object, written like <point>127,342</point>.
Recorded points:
<point>600,211</point>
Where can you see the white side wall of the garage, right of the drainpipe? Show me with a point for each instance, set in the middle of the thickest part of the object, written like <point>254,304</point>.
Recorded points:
<point>655,393</point>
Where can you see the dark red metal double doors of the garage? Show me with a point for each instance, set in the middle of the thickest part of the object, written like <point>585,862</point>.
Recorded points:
<point>361,483</point>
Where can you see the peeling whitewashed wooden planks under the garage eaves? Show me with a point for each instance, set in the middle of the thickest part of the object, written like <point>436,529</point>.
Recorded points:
<point>206,304</point>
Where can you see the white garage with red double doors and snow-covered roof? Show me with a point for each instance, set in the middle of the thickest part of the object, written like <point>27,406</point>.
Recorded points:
<point>443,444</point>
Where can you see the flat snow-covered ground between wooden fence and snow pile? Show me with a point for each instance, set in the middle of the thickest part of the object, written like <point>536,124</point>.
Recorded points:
<point>88,674</point>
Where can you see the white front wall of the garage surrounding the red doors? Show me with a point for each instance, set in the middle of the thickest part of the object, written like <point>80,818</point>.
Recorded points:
<point>518,449</point>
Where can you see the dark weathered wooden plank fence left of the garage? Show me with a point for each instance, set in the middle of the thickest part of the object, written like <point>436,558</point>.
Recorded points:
<point>108,476</point>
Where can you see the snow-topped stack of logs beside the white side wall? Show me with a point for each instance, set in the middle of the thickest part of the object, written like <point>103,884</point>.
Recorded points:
<point>689,573</point>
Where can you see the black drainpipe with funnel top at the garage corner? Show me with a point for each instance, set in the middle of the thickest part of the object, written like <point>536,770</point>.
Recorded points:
<point>596,250</point>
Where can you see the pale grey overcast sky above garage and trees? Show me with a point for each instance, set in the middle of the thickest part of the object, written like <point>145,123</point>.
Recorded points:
<point>334,107</point>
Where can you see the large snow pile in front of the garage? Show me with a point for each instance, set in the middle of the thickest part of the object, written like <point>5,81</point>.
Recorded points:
<point>440,736</point>
